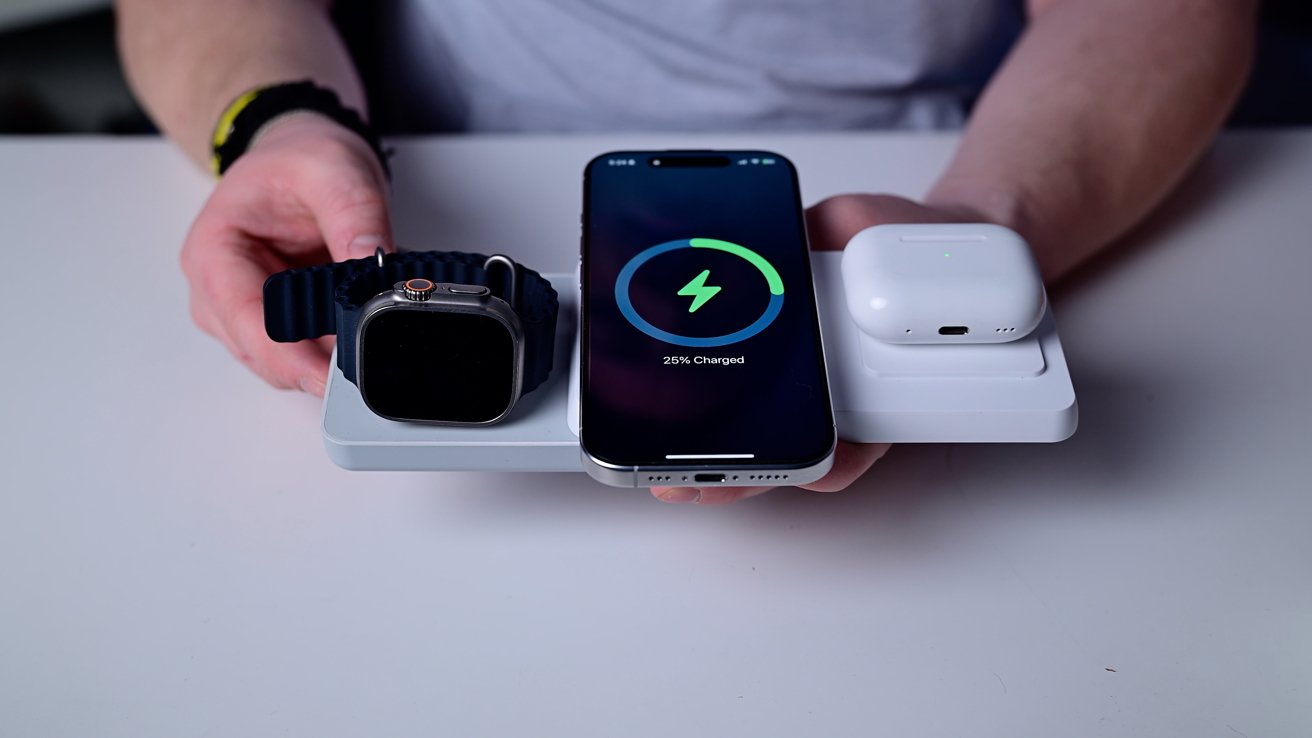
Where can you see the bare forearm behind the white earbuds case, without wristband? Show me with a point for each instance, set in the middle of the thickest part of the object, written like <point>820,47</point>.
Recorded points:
<point>1099,112</point>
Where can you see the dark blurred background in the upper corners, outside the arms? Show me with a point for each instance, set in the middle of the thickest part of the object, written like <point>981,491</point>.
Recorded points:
<point>60,72</point>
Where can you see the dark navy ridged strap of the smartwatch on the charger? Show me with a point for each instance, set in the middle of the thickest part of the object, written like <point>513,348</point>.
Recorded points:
<point>317,301</point>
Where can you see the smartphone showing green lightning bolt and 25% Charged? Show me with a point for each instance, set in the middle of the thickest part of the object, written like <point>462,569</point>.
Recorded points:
<point>703,360</point>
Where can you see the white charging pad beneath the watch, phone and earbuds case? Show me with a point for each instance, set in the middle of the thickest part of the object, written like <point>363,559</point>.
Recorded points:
<point>1017,392</point>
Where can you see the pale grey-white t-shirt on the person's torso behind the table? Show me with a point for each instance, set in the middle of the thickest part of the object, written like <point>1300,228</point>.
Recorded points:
<point>689,65</point>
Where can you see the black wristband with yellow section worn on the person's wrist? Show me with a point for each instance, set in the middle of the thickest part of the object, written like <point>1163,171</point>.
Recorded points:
<point>256,108</point>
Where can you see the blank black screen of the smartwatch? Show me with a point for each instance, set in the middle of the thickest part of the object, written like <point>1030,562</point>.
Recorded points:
<point>438,367</point>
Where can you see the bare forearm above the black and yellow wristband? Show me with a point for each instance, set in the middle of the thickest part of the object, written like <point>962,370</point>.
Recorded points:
<point>188,60</point>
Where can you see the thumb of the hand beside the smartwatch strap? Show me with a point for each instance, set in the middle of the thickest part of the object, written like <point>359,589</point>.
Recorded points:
<point>352,216</point>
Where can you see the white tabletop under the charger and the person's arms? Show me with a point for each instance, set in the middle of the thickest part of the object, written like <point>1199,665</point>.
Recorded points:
<point>179,557</point>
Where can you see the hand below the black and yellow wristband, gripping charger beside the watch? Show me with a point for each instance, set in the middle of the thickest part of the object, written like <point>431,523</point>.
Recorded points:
<point>308,192</point>
